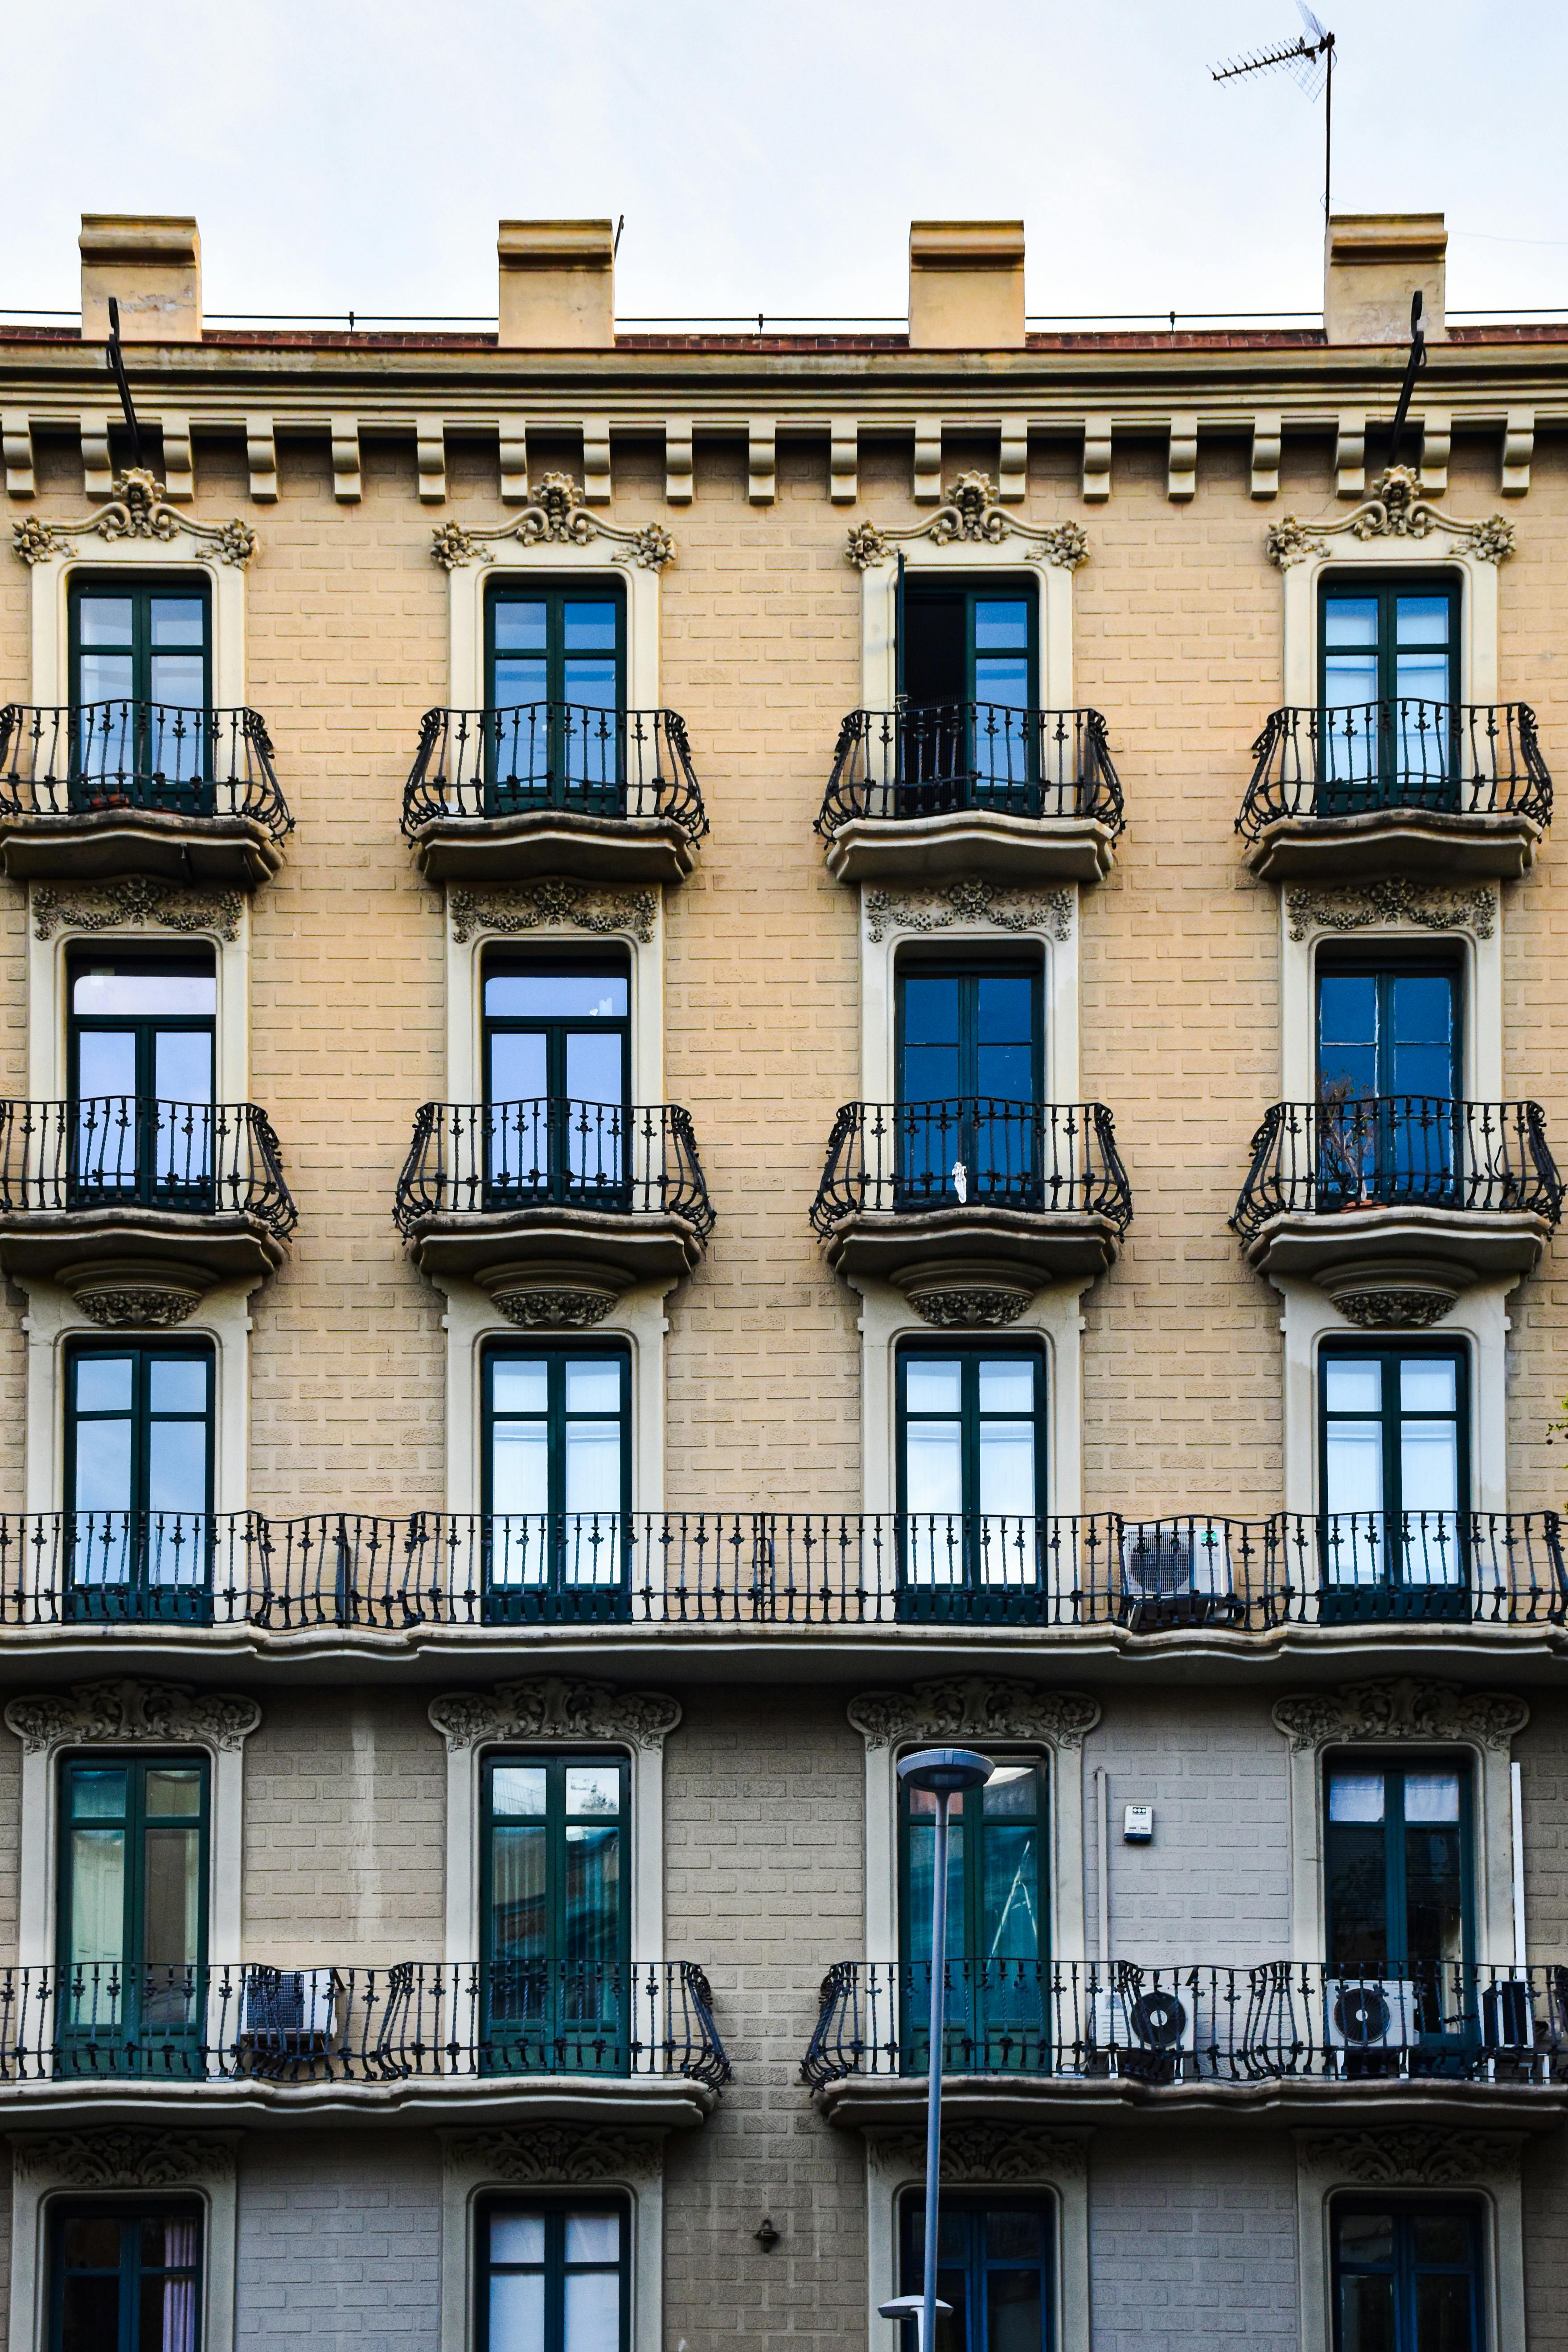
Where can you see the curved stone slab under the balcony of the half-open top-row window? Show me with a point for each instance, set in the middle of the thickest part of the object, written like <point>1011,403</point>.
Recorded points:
<point>965,843</point>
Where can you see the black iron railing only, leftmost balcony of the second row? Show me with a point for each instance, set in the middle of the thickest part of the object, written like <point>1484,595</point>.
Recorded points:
<point>121,1151</point>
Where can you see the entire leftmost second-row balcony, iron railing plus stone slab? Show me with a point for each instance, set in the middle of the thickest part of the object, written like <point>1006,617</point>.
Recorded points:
<point>130,1191</point>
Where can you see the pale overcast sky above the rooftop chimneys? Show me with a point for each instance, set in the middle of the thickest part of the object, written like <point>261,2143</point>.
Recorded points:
<point>772,156</point>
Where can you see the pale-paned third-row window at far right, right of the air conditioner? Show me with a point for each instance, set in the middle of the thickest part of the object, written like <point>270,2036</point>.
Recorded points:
<point>1395,1481</point>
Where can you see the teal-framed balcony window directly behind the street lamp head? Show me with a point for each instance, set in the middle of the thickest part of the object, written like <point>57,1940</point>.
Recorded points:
<point>998,2007</point>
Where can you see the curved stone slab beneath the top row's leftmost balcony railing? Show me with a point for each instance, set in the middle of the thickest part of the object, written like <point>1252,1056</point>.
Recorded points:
<point>100,846</point>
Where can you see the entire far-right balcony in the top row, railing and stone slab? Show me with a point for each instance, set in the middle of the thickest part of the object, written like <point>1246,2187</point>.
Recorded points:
<point>1402,787</point>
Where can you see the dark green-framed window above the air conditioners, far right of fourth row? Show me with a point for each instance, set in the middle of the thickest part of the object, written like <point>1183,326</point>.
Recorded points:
<point>1400,1866</point>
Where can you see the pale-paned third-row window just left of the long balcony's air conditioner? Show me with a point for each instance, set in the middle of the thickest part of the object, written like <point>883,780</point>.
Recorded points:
<point>972,1478</point>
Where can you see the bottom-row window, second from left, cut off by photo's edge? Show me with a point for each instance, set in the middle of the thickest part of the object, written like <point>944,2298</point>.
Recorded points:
<point>556,2276</point>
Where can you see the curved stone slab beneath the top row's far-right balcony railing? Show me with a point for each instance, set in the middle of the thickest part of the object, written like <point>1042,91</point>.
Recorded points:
<point>1379,846</point>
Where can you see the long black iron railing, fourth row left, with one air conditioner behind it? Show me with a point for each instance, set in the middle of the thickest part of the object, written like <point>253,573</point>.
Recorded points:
<point>375,2026</point>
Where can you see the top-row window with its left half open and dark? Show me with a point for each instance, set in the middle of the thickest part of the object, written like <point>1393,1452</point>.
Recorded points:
<point>967,660</point>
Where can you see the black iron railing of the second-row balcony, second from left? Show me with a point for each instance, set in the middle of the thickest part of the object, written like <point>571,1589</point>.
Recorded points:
<point>495,1158</point>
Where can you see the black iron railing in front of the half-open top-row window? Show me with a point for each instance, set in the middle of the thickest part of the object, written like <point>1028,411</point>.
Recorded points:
<point>949,759</point>
